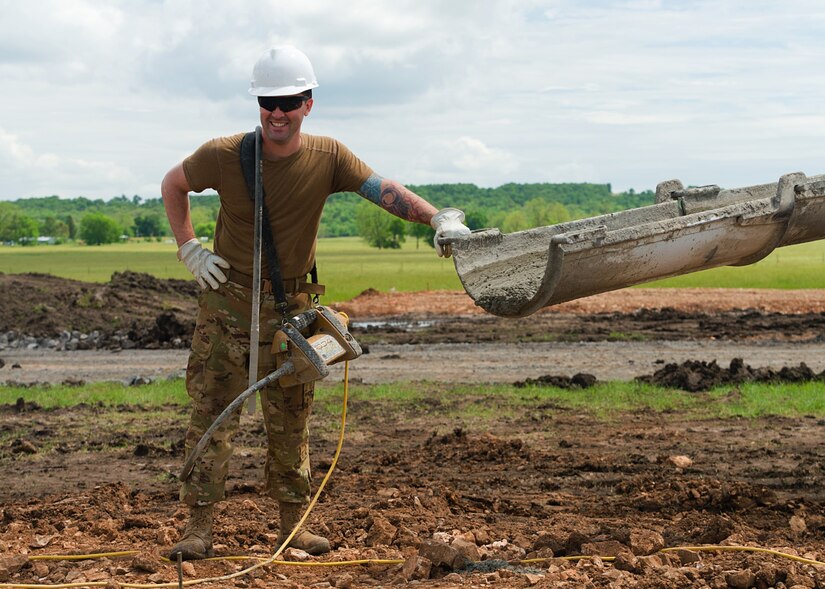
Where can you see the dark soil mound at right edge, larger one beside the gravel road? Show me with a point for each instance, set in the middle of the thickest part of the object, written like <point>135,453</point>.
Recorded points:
<point>698,375</point>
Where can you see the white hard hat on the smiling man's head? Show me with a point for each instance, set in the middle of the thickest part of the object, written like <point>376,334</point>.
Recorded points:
<point>282,71</point>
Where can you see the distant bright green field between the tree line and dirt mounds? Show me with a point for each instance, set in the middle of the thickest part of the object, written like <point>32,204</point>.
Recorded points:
<point>348,266</point>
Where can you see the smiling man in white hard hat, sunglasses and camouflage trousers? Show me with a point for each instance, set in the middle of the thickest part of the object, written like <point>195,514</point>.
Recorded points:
<point>299,172</point>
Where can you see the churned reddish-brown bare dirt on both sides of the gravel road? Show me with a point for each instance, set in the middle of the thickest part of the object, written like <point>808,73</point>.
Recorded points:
<point>417,485</point>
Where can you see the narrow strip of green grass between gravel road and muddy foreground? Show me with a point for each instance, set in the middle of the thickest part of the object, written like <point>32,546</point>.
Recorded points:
<point>605,401</point>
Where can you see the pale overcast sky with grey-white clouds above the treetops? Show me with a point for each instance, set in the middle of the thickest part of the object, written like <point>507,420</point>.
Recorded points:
<point>102,98</point>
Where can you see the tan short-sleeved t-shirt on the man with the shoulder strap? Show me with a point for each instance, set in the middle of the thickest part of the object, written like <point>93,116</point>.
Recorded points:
<point>296,189</point>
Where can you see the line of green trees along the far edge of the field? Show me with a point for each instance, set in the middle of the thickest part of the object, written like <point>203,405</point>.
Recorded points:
<point>510,207</point>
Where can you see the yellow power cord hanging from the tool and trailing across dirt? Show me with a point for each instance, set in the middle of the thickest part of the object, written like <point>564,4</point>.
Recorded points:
<point>272,559</point>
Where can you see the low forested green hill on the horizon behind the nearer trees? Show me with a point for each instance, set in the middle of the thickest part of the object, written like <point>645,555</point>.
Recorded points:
<point>510,207</point>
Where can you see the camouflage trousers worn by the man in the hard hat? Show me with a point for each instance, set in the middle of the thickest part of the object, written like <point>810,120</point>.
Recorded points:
<point>218,372</point>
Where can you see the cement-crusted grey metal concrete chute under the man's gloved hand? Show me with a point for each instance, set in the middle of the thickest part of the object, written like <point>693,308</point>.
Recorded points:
<point>516,274</point>
